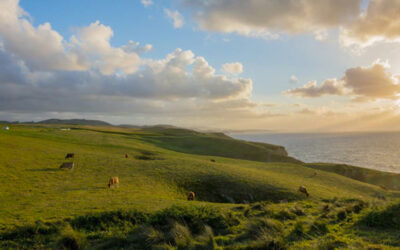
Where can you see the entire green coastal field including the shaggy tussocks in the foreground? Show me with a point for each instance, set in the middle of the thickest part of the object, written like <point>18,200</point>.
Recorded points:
<point>246,193</point>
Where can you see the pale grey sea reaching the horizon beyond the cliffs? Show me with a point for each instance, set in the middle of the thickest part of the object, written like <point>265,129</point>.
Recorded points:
<point>380,150</point>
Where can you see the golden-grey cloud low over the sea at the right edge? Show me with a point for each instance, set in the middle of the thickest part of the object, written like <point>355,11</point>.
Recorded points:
<point>360,83</point>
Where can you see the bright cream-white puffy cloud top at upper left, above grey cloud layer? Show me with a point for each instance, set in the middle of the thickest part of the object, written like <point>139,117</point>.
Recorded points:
<point>42,48</point>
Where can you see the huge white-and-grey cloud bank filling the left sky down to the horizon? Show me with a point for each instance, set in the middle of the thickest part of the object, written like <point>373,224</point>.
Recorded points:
<point>85,74</point>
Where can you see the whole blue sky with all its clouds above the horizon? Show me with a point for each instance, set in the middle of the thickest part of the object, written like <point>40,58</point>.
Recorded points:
<point>277,65</point>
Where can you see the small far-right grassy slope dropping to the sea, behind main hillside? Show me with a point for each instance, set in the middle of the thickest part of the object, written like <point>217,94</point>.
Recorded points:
<point>383,179</point>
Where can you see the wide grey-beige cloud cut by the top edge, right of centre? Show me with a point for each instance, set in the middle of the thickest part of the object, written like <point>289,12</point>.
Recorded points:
<point>267,18</point>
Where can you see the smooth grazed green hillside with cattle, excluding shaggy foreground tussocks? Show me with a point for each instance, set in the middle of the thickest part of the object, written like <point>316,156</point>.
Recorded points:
<point>34,188</point>
